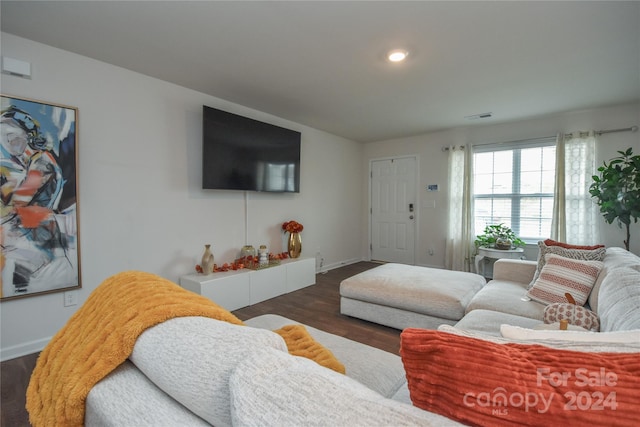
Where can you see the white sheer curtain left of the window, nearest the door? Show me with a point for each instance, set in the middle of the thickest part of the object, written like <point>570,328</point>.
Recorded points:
<point>459,245</point>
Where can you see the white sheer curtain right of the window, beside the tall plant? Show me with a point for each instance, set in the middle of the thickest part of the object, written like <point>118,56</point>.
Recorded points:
<point>575,215</point>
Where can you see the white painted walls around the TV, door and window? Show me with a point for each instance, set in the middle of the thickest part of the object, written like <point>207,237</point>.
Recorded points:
<point>141,205</point>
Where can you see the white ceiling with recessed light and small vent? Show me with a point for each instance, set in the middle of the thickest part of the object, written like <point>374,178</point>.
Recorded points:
<point>320,63</point>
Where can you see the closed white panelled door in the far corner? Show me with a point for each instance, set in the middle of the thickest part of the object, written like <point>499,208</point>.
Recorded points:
<point>393,210</point>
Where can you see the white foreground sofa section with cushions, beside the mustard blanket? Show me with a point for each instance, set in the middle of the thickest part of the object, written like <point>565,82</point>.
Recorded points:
<point>195,371</point>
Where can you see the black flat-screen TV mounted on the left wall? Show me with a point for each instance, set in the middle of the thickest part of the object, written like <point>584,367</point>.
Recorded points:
<point>239,153</point>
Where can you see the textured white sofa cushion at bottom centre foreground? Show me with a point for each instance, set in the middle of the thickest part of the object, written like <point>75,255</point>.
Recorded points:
<point>308,395</point>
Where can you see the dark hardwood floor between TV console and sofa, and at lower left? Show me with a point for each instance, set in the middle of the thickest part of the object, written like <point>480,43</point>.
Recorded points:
<point>317,306</point>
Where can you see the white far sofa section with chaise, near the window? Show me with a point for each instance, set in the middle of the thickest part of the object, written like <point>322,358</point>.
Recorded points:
<point>402,296</point>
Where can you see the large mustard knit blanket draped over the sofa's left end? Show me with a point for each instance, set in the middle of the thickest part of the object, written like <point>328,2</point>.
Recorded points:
<point>100,336</point>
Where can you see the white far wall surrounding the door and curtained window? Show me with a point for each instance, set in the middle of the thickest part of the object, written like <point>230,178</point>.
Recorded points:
<point>433,166</point>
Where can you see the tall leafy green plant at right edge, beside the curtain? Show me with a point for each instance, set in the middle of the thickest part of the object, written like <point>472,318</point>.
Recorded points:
<point>617,190</point>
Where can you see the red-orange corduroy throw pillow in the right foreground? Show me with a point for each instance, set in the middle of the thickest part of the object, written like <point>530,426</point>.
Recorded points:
<point>479,382</point>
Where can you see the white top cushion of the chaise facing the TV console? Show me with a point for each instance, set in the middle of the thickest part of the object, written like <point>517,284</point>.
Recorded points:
<point>431,291</point>
